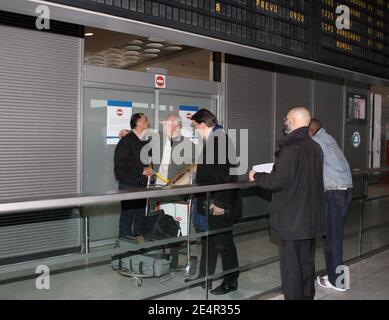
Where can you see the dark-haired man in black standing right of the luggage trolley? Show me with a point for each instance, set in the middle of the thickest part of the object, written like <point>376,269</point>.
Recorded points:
<point>216,171</point>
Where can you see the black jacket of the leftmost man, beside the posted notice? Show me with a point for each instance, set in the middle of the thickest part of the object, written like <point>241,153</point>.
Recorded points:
<point>128,165</point>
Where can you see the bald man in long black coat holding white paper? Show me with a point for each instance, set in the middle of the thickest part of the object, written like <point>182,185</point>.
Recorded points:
<point>297,206</point>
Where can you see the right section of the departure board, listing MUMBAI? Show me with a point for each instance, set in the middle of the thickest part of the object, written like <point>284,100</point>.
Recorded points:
<point>365,46</point>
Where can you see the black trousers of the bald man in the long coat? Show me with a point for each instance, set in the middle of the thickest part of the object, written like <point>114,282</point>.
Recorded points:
<point>297,261</point>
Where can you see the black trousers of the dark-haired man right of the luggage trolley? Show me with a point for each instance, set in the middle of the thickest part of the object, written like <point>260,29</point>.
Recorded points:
<point>220,244</point>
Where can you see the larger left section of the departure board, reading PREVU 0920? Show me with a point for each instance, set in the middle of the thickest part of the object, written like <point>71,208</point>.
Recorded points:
<point>278,25</point>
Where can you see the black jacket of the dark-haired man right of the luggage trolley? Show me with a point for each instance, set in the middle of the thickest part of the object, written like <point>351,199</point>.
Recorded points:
<point>218,172</point>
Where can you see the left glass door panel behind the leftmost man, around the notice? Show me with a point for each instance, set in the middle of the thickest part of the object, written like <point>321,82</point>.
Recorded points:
<point>98,164</point>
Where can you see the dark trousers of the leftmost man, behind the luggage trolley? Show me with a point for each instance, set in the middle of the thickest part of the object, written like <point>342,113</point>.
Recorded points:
<point>131,216</point>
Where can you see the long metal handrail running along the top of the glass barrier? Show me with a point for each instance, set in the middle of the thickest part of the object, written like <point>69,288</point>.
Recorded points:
<point>80,199</point>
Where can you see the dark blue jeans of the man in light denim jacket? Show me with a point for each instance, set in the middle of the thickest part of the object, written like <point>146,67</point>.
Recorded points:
<point>337,203</point>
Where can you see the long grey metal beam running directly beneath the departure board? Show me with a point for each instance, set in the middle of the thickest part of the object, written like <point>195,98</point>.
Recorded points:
<point>106,21</point>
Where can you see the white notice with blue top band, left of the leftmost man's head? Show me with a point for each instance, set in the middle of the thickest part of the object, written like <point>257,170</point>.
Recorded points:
<point>118,117</point>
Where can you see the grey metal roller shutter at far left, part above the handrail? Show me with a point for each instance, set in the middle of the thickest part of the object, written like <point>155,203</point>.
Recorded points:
<point>39,83</point>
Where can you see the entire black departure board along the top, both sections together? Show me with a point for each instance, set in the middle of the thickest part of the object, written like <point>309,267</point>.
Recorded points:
<point>301,28</point>
